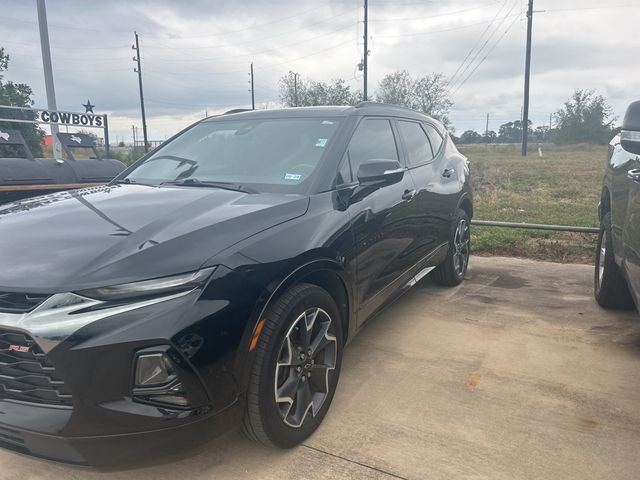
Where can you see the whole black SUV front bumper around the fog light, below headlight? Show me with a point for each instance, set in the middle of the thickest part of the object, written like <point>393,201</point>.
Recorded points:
<point>104,425</point>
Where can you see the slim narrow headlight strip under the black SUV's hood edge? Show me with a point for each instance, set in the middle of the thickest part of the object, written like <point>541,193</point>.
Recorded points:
<point>150,288</point>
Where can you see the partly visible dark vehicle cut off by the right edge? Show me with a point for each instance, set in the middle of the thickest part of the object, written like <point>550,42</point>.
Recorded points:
<point>617,274</point>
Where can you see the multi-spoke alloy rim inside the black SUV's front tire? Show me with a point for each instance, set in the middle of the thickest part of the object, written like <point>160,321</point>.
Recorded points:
<point>307,357</point>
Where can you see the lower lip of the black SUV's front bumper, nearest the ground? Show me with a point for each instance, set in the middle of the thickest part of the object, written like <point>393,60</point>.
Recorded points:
<point>30,432</point>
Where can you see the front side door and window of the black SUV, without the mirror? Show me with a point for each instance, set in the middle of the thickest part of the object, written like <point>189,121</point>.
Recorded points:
<point>384,231</point>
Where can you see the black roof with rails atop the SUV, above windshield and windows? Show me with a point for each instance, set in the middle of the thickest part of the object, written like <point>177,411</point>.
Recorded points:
<point>362,108</point>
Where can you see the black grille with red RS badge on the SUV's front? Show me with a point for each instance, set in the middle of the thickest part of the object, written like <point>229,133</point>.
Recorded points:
<point>27,375</point>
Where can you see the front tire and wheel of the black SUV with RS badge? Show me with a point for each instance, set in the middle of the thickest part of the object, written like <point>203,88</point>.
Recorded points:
<point>266,420</point>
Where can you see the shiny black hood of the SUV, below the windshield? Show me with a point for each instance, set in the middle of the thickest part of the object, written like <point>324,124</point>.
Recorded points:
<point>122,233</point>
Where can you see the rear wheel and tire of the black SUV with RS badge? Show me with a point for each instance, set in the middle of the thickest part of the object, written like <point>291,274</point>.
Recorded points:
<point>451,273</point>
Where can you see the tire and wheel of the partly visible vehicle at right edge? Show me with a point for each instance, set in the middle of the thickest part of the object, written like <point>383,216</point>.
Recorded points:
<point>610,287</point>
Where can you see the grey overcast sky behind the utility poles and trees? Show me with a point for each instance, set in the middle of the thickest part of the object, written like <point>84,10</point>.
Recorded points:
<point>196,53</point>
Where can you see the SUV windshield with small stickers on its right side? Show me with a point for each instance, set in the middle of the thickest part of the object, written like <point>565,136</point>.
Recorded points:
<point>265,155</point>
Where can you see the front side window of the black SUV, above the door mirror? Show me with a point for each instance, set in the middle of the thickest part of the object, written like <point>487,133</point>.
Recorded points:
<point>373,139</point>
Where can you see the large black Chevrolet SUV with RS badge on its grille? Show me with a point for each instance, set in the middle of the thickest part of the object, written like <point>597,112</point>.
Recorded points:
<point>216,281</point>
